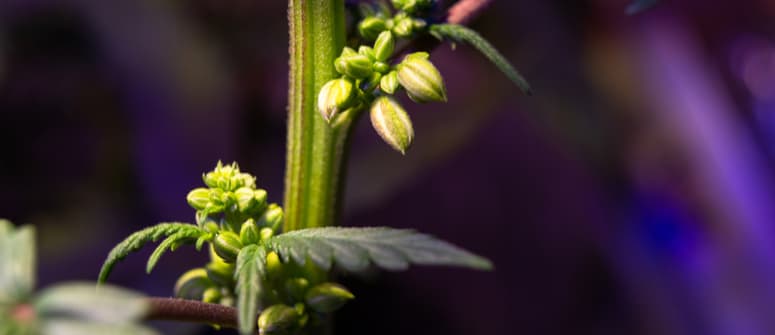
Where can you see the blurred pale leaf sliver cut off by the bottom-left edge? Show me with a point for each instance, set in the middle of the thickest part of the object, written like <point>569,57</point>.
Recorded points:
<point>74,327</point>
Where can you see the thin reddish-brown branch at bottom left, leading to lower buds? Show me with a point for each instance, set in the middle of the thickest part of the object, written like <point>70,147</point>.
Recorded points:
<point>174,309</point>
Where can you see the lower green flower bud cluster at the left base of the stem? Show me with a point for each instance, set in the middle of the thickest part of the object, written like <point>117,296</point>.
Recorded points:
<point>235,214</point>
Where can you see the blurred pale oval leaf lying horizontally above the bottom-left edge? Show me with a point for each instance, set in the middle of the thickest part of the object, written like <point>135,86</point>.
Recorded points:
<point>86,301</point>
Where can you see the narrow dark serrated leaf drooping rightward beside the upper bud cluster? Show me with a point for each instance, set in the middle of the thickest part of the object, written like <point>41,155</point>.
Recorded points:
<point>462,34</point>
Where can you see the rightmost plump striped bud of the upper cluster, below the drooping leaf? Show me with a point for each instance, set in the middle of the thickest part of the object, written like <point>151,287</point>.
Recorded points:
<point>421,79</point>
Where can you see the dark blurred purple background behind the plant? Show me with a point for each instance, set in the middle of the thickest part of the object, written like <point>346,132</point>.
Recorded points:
<point>632,194</point>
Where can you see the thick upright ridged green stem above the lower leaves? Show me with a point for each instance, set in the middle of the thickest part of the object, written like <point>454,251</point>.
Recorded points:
<point>316,150</point>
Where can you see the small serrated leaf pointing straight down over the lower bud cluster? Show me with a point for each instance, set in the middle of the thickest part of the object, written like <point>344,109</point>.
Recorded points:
<point>249,273</point>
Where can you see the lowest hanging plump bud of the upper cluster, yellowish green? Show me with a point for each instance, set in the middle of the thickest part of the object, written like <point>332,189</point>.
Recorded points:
<point>392,123</point>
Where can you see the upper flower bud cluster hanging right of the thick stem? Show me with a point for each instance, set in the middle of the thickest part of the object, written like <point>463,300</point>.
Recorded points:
<point>369,79</point>
